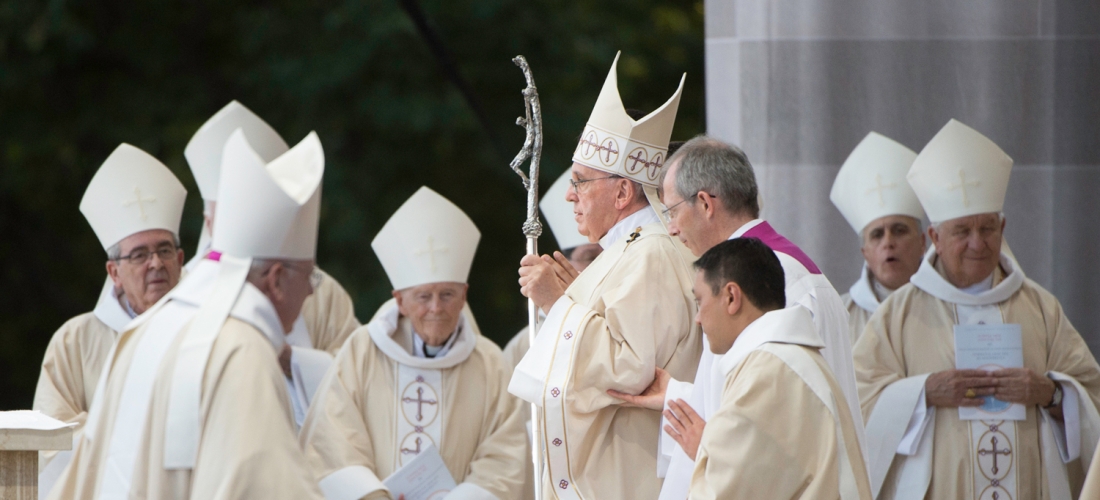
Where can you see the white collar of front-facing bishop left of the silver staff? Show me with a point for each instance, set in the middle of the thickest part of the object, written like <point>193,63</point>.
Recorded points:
<point>384,326</point>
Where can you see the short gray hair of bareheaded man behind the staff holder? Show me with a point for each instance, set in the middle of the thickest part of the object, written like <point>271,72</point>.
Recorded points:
<point>721,170</point>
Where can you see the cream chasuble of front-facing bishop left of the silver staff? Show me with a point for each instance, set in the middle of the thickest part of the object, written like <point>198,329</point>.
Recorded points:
<point>381,406</point>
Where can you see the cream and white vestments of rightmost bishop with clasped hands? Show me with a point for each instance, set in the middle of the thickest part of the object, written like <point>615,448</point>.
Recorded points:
<point>919,452</point>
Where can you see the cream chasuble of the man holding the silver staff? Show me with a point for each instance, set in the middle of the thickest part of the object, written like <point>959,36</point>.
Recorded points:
<point>630,312</point>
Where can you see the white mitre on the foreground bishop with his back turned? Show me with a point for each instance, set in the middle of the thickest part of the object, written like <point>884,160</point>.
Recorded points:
<point>270,210</point>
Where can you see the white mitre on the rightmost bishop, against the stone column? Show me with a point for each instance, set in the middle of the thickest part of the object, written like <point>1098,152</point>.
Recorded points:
<point>961,173</point>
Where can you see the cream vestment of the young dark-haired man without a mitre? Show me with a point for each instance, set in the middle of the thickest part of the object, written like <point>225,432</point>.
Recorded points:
<point>784,430</point>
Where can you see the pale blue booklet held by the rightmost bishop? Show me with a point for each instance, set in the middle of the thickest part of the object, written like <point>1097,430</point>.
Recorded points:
<point>989,348</point>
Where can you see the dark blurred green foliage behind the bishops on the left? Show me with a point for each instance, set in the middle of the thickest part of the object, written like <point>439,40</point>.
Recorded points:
<point>78,79</point>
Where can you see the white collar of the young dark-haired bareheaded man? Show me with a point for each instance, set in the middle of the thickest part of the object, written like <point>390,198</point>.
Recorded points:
<point>788,326</point>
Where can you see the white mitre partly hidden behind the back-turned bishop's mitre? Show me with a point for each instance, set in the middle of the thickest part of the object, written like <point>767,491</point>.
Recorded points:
<point>205,149</point>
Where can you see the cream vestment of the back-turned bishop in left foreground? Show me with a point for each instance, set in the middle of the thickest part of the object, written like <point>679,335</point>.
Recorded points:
<point>247,446</point>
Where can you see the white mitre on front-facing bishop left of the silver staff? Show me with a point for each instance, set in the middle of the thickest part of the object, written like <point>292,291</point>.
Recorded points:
<point>428,240</point>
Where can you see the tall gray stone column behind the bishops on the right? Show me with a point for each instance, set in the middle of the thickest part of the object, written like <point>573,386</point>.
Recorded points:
<point>799,83</point>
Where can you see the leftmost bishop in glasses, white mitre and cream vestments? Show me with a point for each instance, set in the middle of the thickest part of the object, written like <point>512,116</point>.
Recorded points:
<point>135,205</point>
